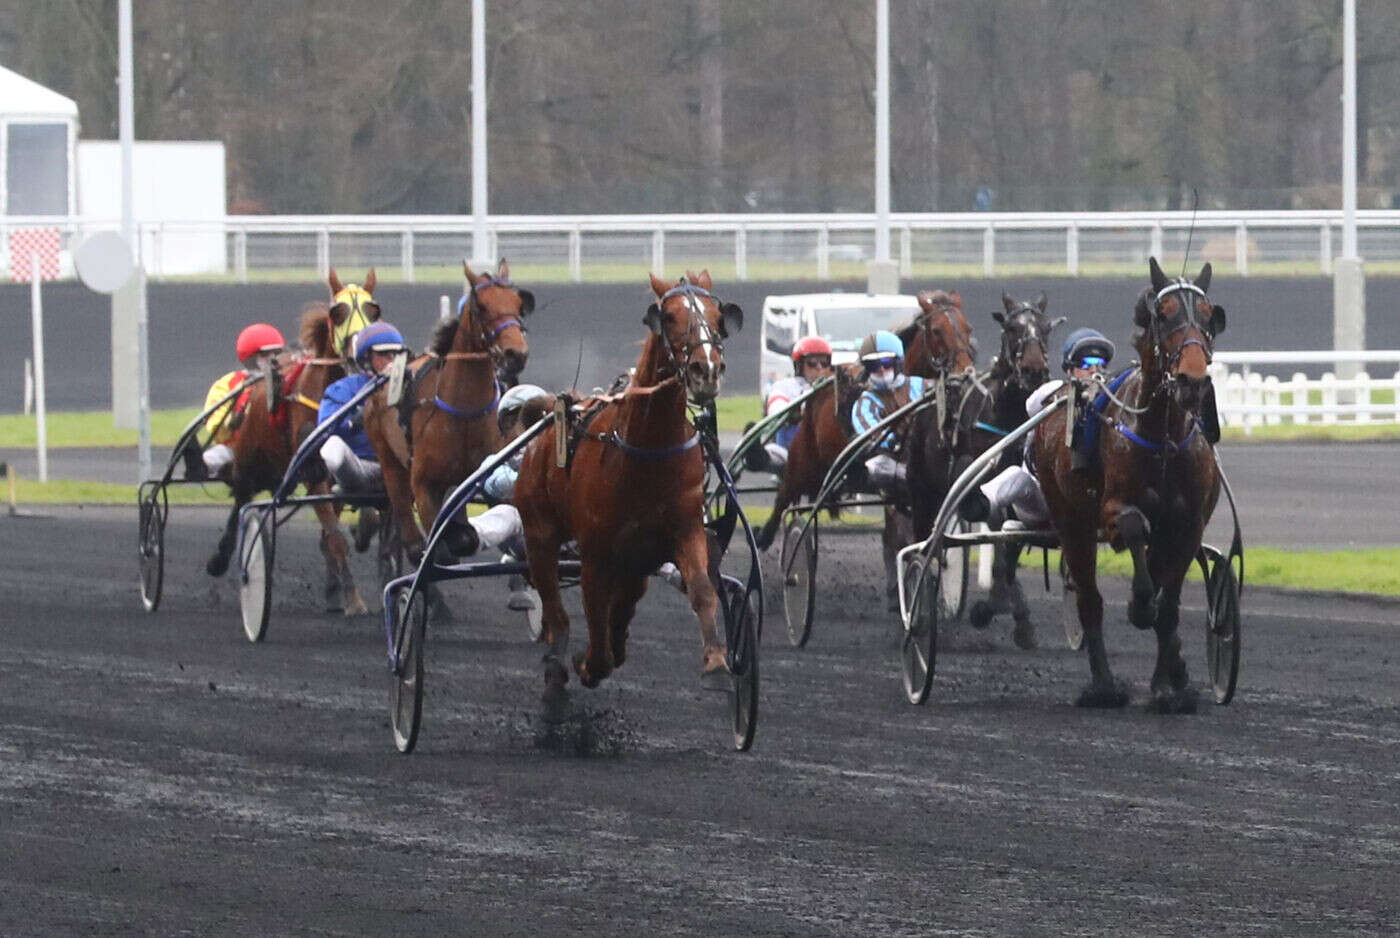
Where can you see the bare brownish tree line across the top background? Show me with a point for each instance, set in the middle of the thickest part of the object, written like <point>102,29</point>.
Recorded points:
<point>743,106</point>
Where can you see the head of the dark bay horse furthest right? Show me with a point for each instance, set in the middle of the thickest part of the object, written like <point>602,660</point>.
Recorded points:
<point>1175,328</point>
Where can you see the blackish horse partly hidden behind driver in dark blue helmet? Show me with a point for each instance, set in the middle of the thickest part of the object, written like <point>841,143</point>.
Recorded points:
<point>1021,367</point>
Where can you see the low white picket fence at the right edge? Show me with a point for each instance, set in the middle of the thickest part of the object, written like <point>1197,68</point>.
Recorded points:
<point>1249,398</point>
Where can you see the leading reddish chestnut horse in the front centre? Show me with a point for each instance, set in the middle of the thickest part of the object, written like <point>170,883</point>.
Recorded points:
<point>632,495</point>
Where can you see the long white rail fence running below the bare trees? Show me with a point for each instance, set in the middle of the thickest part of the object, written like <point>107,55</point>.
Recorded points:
<point>740,246</point>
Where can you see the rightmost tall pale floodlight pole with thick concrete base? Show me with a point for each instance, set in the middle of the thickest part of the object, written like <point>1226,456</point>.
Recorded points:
<point>1349,289</point>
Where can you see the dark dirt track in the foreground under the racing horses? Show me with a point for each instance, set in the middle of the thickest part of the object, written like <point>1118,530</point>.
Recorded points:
<point>164,776</point>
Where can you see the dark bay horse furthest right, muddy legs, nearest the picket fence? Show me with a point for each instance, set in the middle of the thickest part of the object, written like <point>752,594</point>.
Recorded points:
<point>1154,486</point>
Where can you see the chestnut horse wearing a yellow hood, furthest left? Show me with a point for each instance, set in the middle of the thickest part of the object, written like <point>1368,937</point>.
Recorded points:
<point>268,435</point>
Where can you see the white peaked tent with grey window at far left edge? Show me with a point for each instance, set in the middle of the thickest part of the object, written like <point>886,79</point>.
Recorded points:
<point>38,145</point>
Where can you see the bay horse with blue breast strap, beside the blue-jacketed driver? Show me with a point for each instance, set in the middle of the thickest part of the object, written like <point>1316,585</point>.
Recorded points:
<point>453,421</point>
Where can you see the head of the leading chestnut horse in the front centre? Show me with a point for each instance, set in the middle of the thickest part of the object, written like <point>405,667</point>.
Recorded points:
<point>691,324</point>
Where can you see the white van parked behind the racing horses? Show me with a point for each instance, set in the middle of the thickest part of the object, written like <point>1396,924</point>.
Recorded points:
<point>842,318</point>
